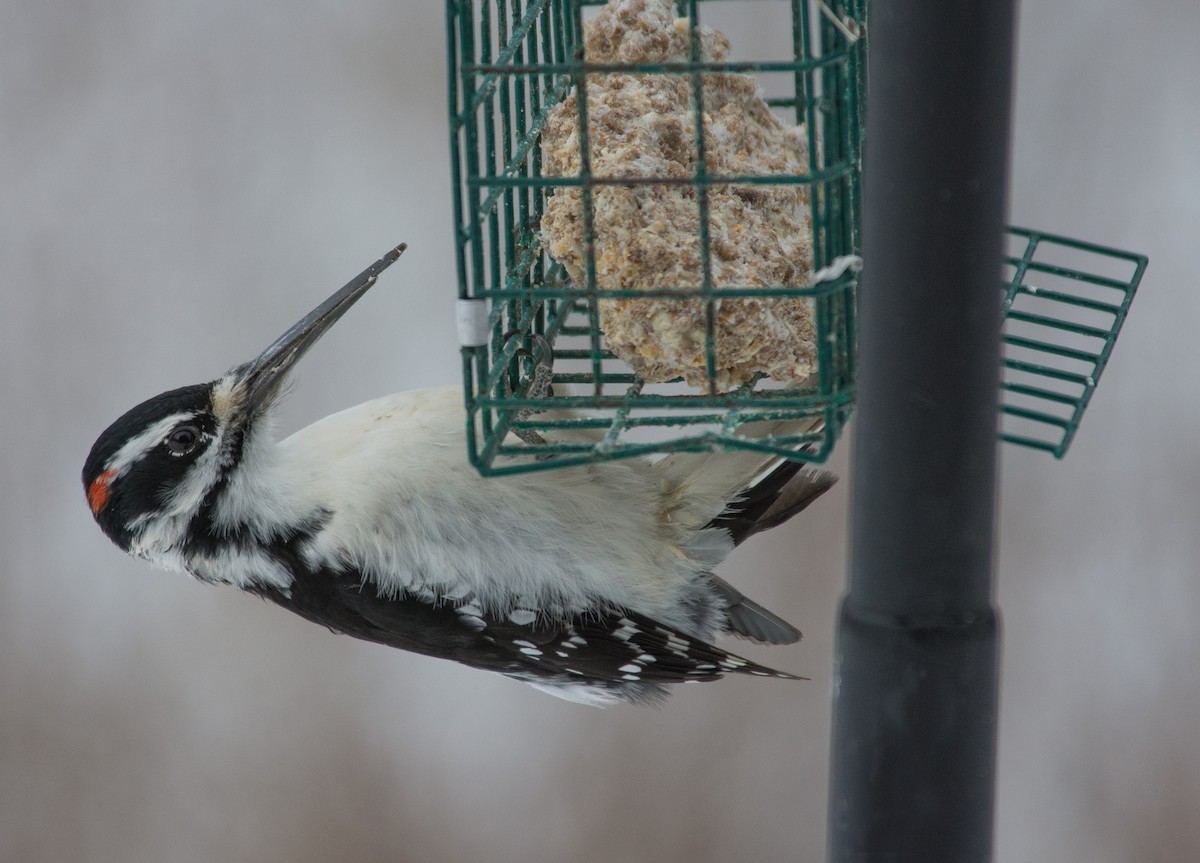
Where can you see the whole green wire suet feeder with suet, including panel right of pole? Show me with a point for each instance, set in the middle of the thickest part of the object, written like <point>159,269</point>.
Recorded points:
<point>545,99</point>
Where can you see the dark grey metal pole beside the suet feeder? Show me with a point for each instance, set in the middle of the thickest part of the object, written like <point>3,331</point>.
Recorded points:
<point>916,668</point>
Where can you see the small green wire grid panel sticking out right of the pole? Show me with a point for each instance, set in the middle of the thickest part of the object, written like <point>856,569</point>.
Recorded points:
<point>1065,304</point>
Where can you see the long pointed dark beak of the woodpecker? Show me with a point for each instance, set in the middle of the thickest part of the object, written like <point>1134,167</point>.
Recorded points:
<point>261,380</point>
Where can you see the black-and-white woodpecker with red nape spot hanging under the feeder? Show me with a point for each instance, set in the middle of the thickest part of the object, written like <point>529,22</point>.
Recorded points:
<point>595,584</point>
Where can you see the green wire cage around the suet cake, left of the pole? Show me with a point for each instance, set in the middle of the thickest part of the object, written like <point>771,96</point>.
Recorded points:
<point>512,64</point>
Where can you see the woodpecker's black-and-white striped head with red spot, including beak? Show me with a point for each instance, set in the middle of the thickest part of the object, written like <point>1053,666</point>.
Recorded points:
<point>160,470</point>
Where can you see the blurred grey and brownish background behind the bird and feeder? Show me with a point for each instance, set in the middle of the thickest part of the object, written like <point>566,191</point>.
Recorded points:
<point>183,179</point>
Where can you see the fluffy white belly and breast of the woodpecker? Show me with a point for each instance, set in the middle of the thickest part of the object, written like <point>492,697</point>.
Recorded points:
<point>415,516</point>
